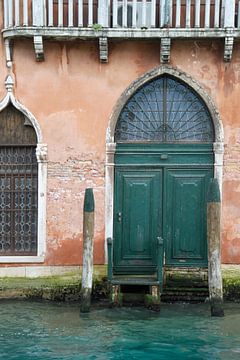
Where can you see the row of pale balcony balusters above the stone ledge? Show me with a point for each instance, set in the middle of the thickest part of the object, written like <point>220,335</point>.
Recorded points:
<point>135,14</point>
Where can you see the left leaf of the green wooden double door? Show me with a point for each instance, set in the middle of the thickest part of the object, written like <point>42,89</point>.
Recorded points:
<point>137,219</point>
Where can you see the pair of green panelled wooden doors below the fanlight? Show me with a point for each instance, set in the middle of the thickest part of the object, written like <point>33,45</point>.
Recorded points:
<point>154,202</point>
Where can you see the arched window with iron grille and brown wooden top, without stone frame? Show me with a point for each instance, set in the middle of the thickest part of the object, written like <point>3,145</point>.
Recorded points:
<point>18,184</point>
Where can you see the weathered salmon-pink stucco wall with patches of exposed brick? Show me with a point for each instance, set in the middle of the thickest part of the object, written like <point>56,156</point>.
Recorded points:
<point>72,94</point>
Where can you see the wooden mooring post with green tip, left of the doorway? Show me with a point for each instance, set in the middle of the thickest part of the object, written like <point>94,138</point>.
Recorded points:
<point>88,234</point>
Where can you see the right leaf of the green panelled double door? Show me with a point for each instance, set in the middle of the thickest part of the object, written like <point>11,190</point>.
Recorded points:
<point>185,220</point>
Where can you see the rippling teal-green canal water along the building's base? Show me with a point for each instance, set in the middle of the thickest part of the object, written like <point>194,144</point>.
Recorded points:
<point>35,330</point>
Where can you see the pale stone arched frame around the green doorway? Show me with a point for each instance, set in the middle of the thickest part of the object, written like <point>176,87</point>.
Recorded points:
<point>218,145</point>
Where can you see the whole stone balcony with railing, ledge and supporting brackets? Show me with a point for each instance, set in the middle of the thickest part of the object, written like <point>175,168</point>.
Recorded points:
<point>162,20</point>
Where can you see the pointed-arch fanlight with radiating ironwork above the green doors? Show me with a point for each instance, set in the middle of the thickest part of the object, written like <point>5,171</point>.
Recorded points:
<point>165,110</point>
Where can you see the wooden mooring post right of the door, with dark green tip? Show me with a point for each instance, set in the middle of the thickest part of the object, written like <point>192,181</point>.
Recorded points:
<point>214,248</point>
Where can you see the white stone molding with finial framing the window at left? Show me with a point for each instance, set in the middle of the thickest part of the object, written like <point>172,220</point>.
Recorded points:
<point>41,154</point>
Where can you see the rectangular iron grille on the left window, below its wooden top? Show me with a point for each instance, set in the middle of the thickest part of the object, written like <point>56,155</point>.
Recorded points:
<point>18,200</point>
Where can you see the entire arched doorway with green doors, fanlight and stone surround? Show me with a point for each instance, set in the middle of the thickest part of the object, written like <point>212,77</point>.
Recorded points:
<point>160,158</point>
